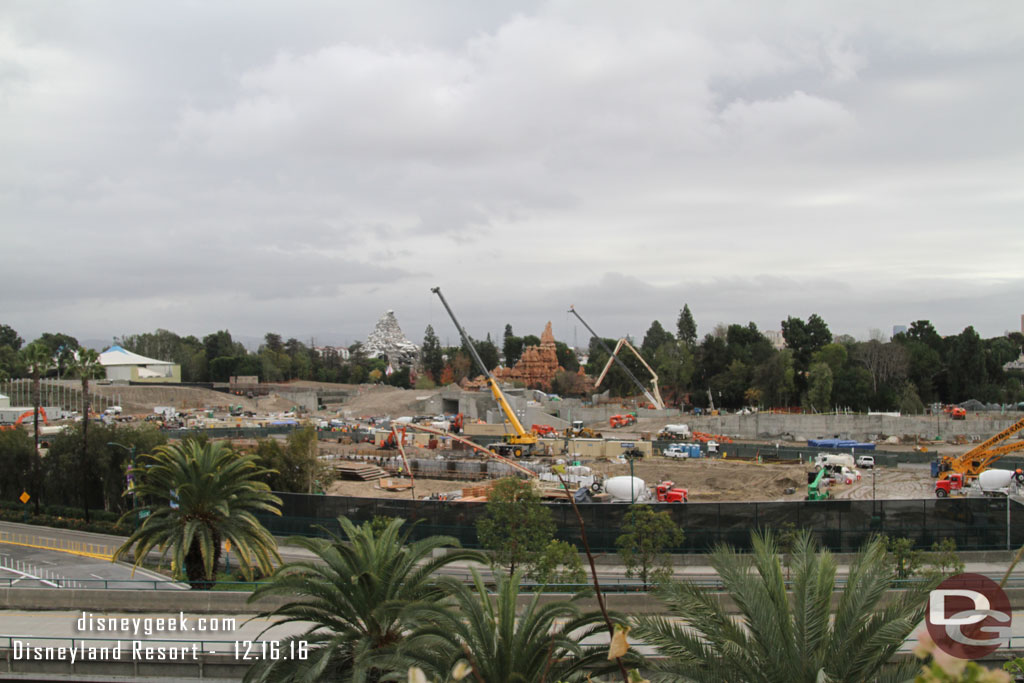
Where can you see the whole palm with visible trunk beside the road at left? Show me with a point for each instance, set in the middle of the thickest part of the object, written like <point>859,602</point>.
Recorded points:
<point>201,495</point>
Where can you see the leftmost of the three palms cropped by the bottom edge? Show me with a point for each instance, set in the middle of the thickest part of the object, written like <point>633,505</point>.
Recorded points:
<point>355,594</point>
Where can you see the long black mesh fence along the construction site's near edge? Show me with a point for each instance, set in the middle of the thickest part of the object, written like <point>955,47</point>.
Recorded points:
<point>840,526</point>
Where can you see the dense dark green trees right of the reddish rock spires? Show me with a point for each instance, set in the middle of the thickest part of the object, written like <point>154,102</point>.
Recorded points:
<point>738,366</point>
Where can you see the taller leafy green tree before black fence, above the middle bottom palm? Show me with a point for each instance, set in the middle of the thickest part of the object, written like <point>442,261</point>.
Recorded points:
<point>517,526</point>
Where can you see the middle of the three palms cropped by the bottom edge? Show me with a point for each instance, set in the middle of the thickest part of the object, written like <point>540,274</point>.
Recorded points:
<point>492,642</point>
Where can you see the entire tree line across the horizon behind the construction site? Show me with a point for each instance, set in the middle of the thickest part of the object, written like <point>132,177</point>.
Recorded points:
<point>733,367</point>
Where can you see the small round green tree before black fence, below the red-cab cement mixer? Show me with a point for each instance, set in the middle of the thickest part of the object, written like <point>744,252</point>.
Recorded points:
<point>648,537</point>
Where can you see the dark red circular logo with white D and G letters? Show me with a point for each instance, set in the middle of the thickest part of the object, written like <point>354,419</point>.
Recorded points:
<point>969,616</point>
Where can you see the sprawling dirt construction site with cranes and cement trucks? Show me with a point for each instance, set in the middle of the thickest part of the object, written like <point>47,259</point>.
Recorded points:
<point>382,447</point>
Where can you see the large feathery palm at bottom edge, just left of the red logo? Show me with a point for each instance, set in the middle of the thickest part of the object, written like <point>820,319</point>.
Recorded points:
<point>775,641</point>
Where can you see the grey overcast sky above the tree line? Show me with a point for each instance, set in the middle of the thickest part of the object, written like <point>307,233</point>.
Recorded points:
<point>303,167</point>
